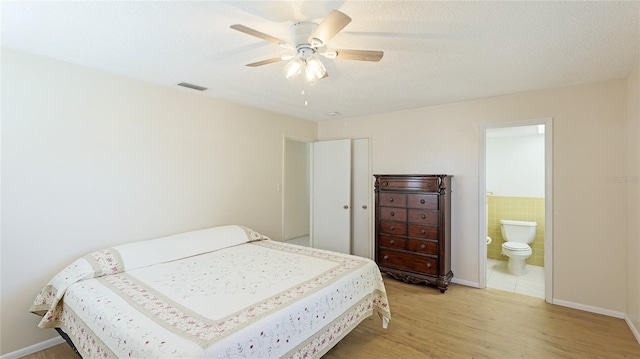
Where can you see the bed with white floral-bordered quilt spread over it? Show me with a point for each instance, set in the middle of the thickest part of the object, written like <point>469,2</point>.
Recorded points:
<point>222,292</point>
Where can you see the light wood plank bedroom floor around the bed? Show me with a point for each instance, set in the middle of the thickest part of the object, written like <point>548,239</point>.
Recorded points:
<point>474,323</point>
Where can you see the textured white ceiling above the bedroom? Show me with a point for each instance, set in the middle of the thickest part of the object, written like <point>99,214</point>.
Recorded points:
<point>435,52</point>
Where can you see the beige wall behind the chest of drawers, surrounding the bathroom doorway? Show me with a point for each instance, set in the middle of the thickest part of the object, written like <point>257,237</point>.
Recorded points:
<point>588,131</point>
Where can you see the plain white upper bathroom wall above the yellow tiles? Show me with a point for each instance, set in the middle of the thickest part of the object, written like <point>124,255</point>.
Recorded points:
<point>515,165</point>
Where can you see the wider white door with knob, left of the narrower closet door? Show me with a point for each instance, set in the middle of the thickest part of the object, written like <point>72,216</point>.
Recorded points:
<point>331,224</point>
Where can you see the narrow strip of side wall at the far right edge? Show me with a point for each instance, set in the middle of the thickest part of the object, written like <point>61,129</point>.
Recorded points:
<point>632,185</point>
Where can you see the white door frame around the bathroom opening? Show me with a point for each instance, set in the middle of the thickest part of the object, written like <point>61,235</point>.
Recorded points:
<point>548,201</point>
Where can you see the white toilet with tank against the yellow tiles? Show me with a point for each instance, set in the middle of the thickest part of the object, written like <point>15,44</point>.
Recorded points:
<point>517,235</point>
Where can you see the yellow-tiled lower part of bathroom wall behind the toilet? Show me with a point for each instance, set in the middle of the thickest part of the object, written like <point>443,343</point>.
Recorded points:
<point>517,209</point>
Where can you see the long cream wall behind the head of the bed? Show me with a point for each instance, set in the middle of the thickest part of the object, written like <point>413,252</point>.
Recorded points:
<point>91,160</point>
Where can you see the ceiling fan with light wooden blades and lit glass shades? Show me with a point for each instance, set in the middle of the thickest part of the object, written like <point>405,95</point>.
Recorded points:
<point>309,40</point>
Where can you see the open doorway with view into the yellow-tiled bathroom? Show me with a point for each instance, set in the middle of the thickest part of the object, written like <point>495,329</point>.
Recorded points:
<point>516,185</point>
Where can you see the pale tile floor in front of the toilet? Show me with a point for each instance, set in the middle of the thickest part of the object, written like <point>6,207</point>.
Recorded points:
<point>531,283</point>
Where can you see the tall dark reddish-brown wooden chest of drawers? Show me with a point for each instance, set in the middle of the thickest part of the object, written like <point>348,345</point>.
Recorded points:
<point>413,228</point>
